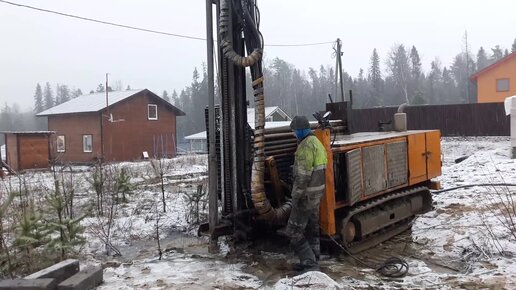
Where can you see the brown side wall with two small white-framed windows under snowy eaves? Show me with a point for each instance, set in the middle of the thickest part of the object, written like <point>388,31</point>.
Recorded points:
<point>73,127</point>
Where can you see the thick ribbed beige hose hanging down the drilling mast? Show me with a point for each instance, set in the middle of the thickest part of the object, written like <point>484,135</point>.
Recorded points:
<point>266,212</point>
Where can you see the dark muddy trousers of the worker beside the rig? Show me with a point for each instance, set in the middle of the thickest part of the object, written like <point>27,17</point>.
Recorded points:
<point>303,223</point>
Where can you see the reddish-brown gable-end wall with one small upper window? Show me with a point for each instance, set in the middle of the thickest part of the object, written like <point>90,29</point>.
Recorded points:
<point>131,132</point>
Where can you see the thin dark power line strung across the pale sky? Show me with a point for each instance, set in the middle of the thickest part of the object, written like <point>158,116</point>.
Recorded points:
<point>143,29</point>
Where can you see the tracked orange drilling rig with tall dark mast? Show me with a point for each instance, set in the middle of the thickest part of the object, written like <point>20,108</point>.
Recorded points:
<point>376,182</point>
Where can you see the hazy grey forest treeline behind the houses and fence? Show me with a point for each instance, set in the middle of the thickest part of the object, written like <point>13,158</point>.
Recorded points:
<point>396,78</point>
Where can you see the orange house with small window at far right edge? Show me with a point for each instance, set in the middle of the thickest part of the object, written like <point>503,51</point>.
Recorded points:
<point>497,81</point>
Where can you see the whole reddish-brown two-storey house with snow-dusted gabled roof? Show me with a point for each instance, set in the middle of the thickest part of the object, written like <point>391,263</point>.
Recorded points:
<point>114,126</point>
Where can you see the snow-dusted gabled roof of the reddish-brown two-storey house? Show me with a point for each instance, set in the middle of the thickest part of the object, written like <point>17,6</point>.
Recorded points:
<point>97,102</point>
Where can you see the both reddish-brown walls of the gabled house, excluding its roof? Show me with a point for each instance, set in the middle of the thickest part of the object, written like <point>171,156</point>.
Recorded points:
<point>125,138</point>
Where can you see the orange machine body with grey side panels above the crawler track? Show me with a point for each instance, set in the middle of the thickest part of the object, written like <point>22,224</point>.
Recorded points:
<point>372,164</point>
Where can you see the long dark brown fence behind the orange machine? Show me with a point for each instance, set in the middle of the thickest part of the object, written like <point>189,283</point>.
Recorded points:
<point>486,119</point>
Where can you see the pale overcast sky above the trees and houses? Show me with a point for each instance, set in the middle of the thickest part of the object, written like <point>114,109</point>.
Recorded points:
<point>38,47</point>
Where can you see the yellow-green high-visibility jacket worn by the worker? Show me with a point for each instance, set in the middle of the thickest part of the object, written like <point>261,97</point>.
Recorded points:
<point>309,168</point>
